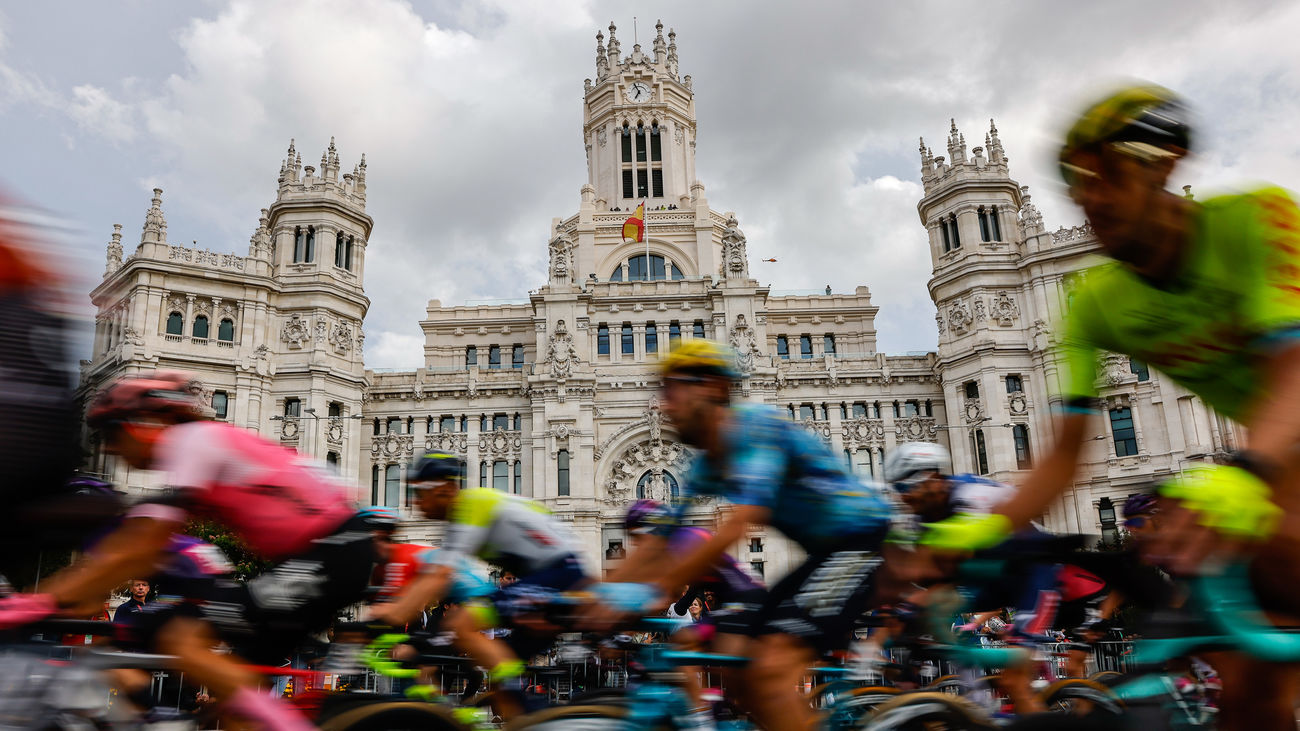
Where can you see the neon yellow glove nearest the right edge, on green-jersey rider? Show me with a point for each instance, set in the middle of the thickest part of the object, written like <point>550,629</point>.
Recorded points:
<point>1229,500</point>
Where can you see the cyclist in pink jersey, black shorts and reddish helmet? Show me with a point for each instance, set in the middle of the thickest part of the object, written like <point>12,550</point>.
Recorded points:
<point>283,507</point>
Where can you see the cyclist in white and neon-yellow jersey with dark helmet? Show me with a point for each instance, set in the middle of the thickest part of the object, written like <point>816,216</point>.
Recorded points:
<point>506,531</point>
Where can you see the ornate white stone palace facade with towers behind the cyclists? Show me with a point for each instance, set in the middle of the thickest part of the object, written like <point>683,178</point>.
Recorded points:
<point>554,397</point>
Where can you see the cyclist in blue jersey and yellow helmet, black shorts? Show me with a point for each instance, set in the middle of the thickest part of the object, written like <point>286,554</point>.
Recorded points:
<point>774,473</point>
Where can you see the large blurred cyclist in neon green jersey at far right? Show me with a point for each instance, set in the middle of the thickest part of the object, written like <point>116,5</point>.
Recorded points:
<point>1208,293</point>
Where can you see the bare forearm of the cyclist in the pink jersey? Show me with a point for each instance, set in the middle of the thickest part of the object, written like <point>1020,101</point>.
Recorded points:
<point>131,552</point>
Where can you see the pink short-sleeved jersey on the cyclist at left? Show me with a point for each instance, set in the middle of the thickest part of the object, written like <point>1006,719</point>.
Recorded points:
<point>276,500</point>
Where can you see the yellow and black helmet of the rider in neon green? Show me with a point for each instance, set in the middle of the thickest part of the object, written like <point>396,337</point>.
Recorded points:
<point>1146,122</point>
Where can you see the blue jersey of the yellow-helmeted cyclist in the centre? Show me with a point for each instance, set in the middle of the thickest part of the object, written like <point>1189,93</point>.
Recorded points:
<point>775,464</point>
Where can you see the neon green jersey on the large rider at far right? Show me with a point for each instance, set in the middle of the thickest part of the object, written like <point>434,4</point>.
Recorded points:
<point>1237,297</point>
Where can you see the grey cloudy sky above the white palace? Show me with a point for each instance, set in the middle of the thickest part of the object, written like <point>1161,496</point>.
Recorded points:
<point>470,115</point>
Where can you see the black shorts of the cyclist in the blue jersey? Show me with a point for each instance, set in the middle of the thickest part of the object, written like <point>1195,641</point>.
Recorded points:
<point>822,600</point>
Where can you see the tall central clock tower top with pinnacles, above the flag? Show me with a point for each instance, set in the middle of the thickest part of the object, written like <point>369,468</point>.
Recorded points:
<point>639,126</point>
